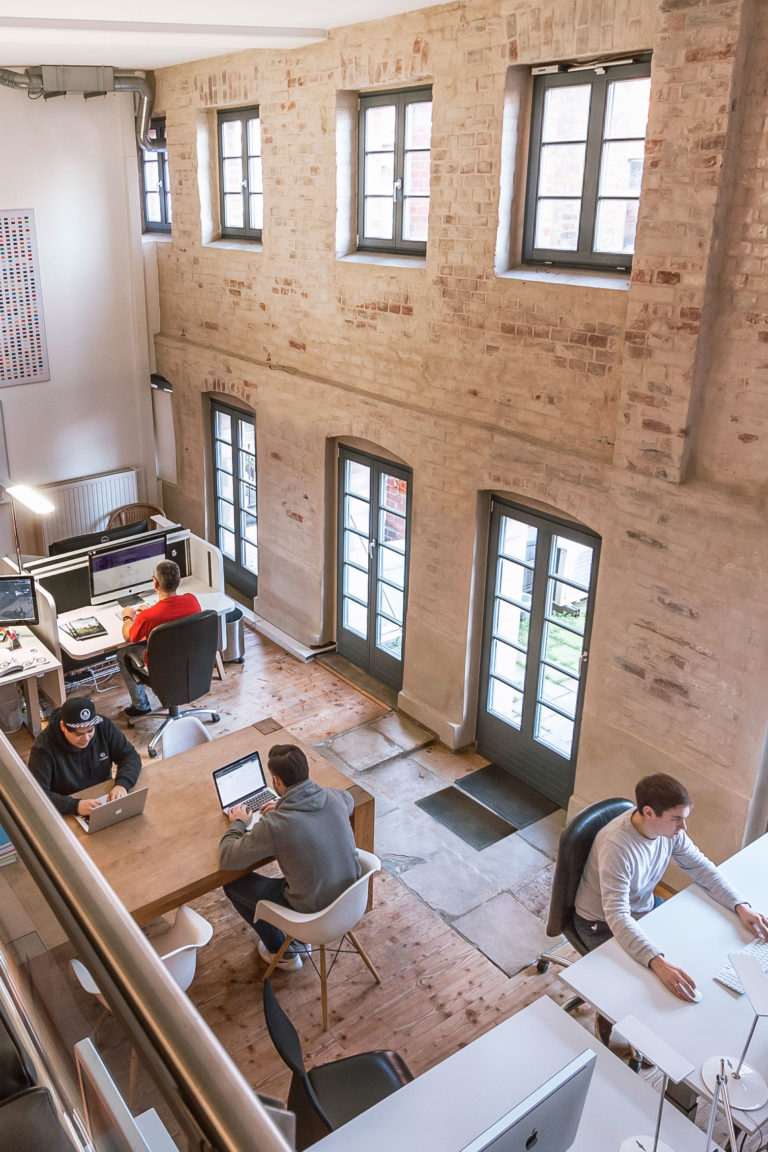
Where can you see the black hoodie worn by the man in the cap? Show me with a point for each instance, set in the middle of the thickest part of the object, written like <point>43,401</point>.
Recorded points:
<point>60,769</point>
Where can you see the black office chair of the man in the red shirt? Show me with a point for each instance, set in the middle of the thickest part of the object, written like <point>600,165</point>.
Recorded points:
<point>180,661</point>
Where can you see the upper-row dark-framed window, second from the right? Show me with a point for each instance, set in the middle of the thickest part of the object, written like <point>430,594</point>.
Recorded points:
<point>394,141</point>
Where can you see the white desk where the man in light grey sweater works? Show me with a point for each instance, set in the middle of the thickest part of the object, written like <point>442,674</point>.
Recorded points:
<point>697,935</point>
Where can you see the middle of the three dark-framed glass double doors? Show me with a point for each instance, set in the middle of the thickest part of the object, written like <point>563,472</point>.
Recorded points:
<point>375,501</point>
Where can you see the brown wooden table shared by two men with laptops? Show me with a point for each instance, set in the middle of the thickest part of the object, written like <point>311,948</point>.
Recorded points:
<point>170,855</point>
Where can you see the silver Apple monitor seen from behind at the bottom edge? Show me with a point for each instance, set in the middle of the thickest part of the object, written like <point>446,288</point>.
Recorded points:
<point>548,1119</point>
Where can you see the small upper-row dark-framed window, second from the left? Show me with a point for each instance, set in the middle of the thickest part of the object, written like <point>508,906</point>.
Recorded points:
<point>240,173</point>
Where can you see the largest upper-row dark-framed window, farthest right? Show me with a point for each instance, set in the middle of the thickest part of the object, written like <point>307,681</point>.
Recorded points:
<point>585,169</point>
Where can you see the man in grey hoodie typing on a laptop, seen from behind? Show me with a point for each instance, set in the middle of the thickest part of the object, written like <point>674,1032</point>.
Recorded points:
<point>308,832</point>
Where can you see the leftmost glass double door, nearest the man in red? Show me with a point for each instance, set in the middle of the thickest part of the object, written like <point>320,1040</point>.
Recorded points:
<point>235,495</point>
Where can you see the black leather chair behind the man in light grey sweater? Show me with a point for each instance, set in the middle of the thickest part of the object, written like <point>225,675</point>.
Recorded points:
<point>575,845</point>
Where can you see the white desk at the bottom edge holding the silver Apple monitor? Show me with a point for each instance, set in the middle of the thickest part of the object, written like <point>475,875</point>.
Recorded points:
<point>458,1100</point>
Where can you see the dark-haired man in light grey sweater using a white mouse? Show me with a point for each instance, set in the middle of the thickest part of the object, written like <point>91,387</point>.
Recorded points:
<point>628,860</point>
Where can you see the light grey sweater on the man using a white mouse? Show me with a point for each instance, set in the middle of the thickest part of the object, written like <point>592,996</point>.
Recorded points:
<point>622,871</point>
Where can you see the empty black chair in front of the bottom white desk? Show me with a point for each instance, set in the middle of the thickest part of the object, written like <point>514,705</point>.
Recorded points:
<point>329,1096</point>
